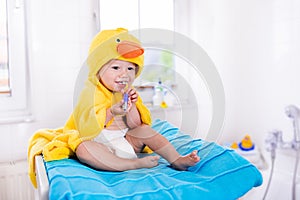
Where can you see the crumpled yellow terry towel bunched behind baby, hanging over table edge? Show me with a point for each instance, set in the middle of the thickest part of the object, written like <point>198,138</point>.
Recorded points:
<point>53,144</point>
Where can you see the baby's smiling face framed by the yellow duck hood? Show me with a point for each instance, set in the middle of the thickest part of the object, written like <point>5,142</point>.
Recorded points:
<point>116,74</point>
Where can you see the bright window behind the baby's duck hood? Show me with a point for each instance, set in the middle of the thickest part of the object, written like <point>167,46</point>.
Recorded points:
<point>138,14</point>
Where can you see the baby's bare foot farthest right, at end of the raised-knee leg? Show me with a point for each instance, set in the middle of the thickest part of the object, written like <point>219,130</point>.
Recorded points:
<point>186,161</point>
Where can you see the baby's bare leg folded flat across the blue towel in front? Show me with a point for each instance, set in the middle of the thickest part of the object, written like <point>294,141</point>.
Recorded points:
<point>100,157</point>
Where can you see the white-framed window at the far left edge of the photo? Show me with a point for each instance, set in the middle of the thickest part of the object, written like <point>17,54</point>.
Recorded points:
<point>14,82</point>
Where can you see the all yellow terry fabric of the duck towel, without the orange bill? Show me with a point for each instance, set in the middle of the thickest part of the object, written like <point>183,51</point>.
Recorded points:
<point>89,114</point>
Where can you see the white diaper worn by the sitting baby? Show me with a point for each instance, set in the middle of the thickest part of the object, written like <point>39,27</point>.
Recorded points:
<point>116,142</point>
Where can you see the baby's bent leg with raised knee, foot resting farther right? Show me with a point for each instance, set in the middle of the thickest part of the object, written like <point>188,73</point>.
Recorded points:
<point>145,135</point>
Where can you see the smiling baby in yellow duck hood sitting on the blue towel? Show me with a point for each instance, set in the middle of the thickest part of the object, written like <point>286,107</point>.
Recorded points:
<point>114,129</point>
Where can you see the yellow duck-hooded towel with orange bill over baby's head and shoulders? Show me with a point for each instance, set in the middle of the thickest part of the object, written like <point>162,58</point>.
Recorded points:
<point>90,112</point>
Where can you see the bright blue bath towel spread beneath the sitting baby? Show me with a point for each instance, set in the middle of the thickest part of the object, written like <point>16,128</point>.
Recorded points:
<point>220,174</point>
